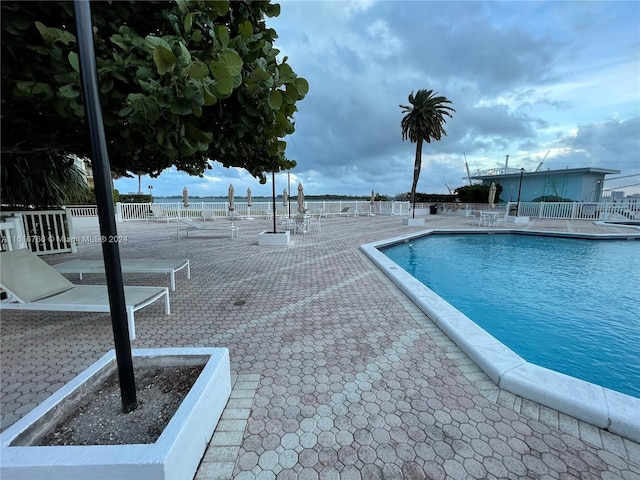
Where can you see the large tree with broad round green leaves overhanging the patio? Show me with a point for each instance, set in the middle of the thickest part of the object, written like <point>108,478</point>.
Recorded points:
<point>182,83</point>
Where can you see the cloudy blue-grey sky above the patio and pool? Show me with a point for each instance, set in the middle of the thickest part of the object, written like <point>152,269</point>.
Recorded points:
<point>525,78</point>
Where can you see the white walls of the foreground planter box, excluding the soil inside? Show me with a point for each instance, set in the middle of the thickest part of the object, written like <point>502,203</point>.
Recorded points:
<point>176,453</point>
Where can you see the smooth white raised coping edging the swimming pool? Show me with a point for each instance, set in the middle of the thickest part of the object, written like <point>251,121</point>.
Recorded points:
<point>599,406</point>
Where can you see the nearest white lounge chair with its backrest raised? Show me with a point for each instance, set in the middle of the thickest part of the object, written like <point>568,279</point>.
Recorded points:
<point>31,284</point>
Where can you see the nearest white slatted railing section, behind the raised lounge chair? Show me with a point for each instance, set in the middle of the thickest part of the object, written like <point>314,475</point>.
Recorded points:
<point>41,231</point>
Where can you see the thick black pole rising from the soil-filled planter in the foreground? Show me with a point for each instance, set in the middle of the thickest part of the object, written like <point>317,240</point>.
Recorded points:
<point>104,202</point>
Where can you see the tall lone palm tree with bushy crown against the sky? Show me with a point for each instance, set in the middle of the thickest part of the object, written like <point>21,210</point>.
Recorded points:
<point>424,121</point>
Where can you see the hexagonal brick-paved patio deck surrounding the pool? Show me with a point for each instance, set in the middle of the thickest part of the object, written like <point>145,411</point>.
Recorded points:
<point>338,374</point>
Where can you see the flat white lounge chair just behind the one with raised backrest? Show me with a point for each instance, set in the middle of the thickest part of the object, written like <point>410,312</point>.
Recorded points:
<point>128,266</point>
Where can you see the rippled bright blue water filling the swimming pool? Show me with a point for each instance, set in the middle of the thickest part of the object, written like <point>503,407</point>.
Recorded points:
<point>566,304</point>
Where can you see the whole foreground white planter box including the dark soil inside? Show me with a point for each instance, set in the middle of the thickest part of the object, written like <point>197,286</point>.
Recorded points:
<point>81,432</point>
